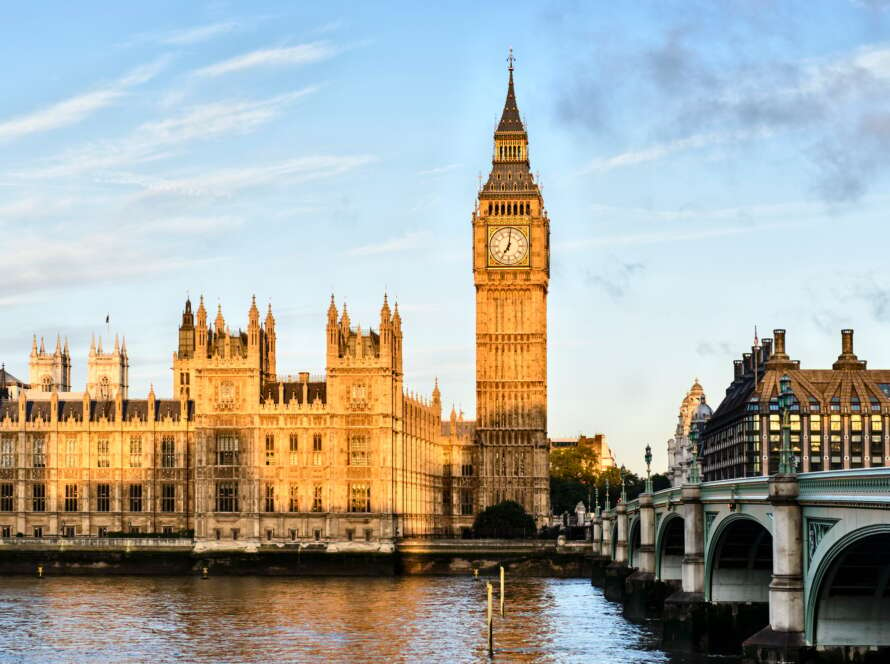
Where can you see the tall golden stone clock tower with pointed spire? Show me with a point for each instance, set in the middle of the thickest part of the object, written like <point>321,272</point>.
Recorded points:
<point>511,270</point>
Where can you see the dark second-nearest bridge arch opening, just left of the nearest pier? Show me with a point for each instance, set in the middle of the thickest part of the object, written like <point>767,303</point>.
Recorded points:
<point>739,561</point>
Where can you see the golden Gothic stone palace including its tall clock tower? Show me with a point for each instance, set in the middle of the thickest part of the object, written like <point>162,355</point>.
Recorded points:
<point>245,454</point>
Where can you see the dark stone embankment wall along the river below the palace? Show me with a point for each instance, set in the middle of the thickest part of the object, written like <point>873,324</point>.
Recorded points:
<point>151,556</point>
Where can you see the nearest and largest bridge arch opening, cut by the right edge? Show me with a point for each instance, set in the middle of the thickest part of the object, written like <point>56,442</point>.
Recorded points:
<point>855,575</point>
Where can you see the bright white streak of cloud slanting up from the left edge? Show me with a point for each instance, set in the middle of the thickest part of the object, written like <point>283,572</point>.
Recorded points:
<point>77,108</point>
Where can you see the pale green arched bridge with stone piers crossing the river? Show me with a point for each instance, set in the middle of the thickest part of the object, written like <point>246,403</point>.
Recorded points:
<point>794,567</point>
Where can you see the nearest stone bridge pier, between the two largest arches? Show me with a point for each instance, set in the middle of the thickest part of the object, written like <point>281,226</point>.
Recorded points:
<point>783,640</point>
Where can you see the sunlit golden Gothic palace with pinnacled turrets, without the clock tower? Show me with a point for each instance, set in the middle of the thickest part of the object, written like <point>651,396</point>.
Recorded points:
<point>242,454</point>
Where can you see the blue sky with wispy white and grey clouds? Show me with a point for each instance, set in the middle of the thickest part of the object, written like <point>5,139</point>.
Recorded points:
<point>707,167</point>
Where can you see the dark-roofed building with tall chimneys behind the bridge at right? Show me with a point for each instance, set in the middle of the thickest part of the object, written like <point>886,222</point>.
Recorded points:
<point>839,418</point>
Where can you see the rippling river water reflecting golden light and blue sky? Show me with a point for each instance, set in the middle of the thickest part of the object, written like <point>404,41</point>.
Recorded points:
<point>261,619</point>
